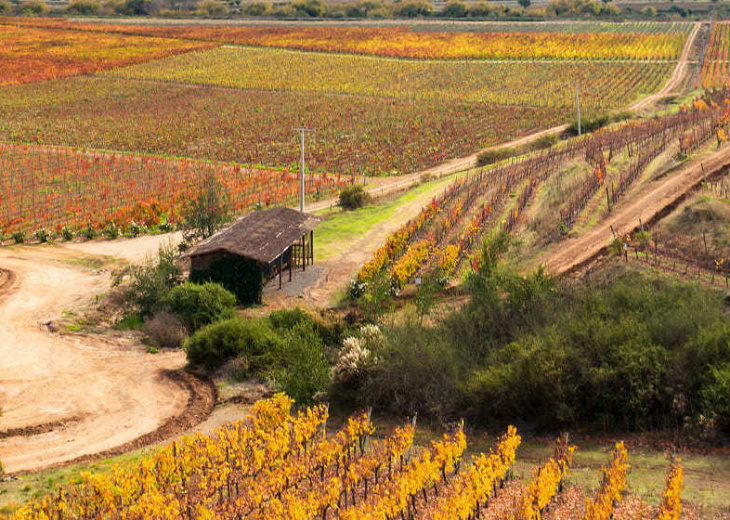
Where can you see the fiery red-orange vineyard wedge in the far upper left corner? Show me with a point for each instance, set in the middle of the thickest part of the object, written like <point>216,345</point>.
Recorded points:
<point>37,54</point>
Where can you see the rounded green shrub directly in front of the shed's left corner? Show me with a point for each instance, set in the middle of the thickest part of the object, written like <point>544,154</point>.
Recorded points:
<point>198,305</point>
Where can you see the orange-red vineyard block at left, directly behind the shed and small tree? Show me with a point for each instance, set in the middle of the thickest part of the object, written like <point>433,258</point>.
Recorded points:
<point>53,188</point>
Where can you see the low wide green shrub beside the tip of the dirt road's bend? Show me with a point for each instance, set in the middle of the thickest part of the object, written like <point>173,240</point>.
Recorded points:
<point>219,342</point>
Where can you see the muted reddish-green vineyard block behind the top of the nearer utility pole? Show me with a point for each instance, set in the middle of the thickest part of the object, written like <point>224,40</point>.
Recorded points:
<point>354,134</point>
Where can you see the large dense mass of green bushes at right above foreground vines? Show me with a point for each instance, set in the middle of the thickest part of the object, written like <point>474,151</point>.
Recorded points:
<point>532,350</point>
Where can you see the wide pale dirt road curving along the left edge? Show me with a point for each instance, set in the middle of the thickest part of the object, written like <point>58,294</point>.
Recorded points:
<point>69,395</point>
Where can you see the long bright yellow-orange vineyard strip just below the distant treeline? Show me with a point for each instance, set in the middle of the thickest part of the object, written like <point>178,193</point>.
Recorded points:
<point>664,41</point>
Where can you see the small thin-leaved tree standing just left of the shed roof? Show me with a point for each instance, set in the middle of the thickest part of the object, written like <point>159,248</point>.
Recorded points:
<point>207,213</point>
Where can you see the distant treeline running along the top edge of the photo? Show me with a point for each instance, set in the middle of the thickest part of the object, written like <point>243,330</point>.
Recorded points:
<point>360,9</point>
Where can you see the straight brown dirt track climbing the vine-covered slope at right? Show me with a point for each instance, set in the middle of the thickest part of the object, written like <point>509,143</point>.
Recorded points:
<point>648,202</point>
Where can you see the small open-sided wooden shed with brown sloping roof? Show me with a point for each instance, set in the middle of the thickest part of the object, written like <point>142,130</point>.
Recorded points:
<point>254,249</point>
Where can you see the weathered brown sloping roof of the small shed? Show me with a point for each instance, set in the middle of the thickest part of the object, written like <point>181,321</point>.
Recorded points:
<point>262,235</point>
